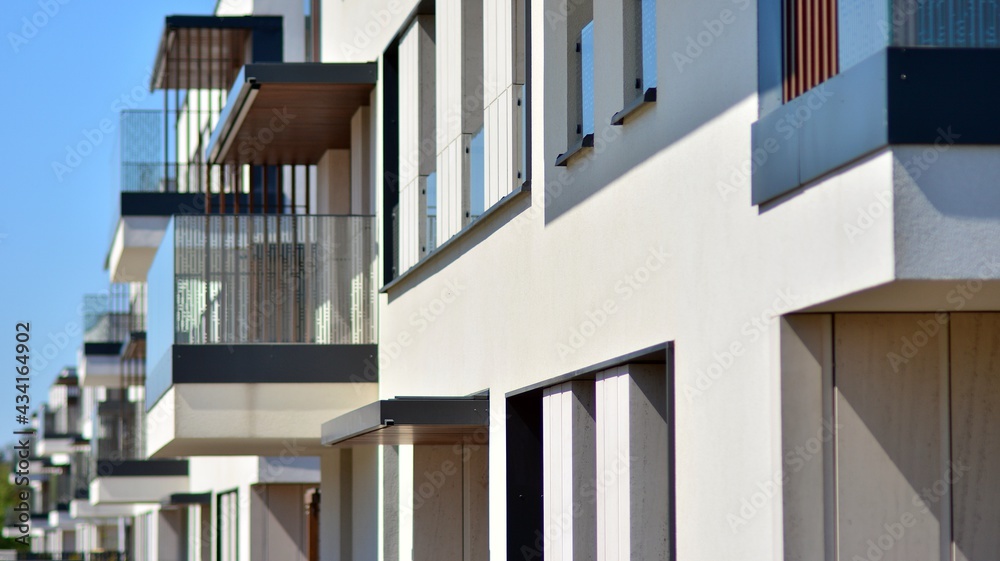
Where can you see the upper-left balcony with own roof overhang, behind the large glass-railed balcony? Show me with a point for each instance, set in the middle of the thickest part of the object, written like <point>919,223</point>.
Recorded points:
<point>162,168</point>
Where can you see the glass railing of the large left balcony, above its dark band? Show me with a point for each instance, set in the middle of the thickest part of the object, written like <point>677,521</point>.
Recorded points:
<point>268,279</point>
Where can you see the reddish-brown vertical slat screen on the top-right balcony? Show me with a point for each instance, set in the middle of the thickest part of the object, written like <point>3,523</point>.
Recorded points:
<point>810,44</point>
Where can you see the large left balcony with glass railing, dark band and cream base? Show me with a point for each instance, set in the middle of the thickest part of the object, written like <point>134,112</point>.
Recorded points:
<point>264,326</point>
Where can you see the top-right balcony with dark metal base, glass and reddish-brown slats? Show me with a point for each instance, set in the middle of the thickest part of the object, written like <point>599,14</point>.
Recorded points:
<point>888,62</point>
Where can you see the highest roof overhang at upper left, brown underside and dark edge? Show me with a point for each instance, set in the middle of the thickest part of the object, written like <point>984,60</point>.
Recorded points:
<point>206,51</point>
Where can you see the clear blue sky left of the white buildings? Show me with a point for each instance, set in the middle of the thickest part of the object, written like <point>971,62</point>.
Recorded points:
<point>66,72</point>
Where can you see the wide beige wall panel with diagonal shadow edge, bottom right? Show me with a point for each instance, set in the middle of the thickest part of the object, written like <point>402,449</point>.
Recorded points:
<point>892,438</point>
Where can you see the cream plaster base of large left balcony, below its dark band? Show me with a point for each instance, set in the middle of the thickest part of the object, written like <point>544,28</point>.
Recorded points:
<point>262,419</point>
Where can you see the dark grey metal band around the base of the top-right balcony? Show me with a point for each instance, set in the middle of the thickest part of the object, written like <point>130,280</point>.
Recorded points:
<point>897,96</point>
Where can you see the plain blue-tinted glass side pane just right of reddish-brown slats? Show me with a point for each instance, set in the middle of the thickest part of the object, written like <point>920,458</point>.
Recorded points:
<point>863,30</point>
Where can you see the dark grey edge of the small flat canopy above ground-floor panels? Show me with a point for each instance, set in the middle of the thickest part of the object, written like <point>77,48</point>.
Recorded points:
<point>441,412</point>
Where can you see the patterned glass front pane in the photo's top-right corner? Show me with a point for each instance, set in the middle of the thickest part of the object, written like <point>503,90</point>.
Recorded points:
<point>947,23</point>
